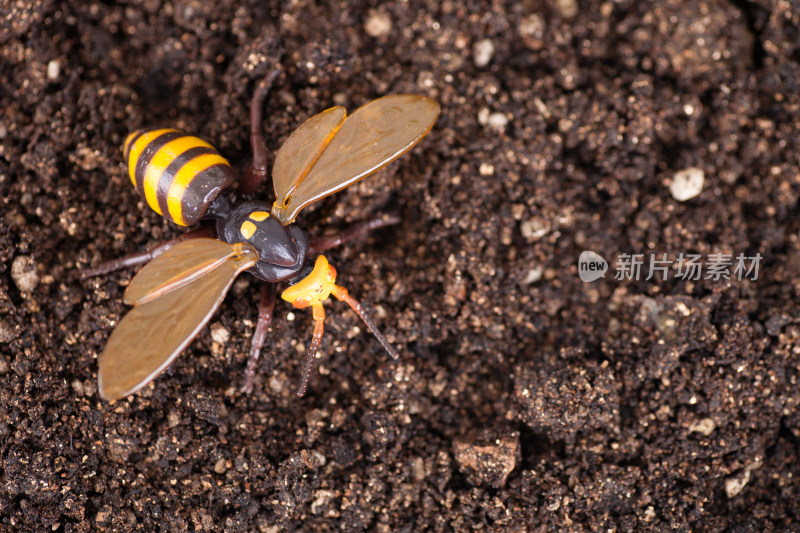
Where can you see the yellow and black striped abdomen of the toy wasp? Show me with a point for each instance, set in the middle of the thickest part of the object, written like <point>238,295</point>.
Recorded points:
<point>178,175</point>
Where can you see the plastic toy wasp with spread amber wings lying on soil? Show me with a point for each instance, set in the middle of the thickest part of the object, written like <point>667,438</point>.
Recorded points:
<point>186,279</point>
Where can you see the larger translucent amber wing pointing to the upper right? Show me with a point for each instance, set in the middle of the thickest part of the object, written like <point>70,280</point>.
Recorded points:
<point>376,134</point>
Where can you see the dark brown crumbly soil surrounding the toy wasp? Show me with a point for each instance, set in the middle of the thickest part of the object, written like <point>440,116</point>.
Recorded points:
<point>526,399</point>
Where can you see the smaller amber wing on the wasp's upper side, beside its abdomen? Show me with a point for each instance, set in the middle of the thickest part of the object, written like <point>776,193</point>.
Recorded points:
<point>296,156</point>
